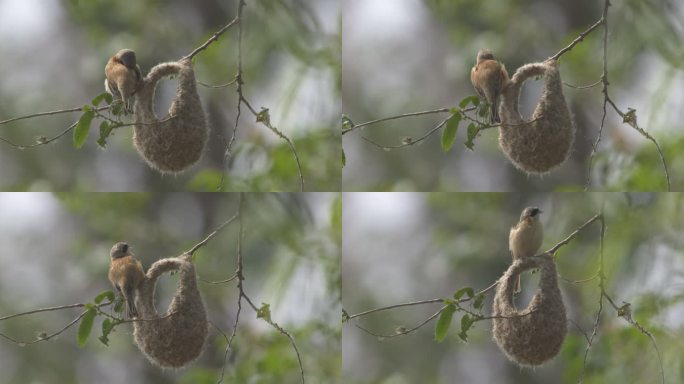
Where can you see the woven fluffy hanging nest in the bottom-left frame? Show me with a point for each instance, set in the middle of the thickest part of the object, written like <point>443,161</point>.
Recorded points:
<point>175,338</point>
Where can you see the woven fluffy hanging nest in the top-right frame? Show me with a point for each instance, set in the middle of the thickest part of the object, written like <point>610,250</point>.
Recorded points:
<point>544,142</point>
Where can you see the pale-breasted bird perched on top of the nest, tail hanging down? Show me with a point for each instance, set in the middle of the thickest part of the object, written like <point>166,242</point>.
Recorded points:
<point>526,237</point>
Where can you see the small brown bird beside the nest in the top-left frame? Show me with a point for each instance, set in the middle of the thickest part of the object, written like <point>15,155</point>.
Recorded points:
<point>123,77</point>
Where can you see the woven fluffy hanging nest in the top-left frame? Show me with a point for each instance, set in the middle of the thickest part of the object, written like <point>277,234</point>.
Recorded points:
<point>176,142</point>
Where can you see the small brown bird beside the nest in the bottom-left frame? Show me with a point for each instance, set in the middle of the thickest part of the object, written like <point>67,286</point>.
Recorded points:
<point>126,275</point>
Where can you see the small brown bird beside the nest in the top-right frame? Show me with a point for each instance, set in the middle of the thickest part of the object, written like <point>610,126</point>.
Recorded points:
<point>489,77</point>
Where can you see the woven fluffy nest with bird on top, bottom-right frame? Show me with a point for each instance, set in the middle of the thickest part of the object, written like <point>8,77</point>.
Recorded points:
<point>535,334</point>
